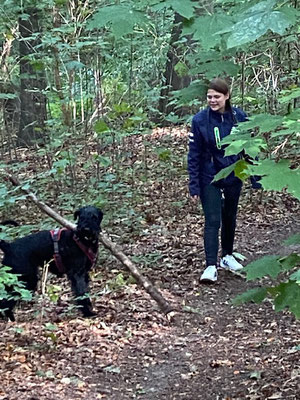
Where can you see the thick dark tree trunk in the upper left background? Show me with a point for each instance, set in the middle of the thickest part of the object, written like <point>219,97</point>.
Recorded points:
<point>33,101</point>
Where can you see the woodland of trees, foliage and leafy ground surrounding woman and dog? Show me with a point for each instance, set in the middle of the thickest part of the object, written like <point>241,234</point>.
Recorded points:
<point>95,101</point>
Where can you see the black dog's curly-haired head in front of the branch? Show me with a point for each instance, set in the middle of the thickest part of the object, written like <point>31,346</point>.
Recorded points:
<point>89,223</point>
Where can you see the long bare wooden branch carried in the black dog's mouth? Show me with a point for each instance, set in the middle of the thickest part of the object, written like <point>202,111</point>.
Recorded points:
<point>164,305</point>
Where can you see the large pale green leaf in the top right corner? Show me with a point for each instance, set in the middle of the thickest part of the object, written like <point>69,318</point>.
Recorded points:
<point>256,21</point>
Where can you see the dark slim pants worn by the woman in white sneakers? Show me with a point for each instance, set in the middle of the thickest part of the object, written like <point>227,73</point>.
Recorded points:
<point>219,206</point>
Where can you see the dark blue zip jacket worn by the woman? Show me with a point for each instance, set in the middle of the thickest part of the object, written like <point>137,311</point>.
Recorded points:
<point>205,159</point>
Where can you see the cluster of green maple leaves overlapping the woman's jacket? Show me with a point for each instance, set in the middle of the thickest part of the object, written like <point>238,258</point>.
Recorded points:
<point>249,138</point>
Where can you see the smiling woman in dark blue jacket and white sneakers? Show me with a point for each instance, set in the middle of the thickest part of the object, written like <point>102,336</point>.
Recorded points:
<point>206,157</point>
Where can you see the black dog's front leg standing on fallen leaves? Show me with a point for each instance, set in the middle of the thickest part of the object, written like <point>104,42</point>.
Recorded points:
<point>80,288</point>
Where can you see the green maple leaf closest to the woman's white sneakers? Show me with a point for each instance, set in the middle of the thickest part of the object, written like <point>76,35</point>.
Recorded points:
<point>268,265</point>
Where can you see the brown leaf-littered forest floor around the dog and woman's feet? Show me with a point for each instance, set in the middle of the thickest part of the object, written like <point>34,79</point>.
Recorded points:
<point>131,350</point>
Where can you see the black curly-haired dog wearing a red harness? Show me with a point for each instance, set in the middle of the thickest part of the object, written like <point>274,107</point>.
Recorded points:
<point>74,253</point>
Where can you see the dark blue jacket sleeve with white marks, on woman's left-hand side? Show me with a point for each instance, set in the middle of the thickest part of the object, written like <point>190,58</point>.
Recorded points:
<point>194,158</point>
